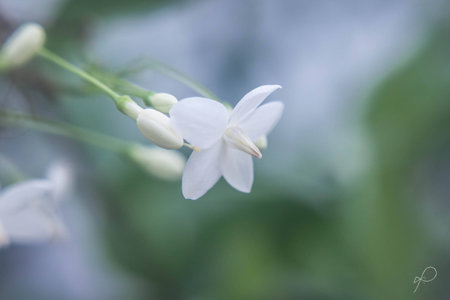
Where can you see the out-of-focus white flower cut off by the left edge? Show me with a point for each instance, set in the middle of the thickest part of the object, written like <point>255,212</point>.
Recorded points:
<point>29,210</point>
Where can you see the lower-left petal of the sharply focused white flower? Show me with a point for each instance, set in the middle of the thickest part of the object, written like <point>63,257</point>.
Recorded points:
<point>201,172</point>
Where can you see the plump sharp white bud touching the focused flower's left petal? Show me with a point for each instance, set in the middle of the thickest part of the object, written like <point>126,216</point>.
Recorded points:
<point>155,126</point>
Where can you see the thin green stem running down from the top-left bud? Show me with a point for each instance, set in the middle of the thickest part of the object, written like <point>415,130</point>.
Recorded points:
<point>44,53</point>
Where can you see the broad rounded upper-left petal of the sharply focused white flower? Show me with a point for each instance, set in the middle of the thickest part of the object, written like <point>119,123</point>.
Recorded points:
<point>200,121</point>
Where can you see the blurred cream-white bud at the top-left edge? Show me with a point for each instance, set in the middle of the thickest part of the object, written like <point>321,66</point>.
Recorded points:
<point>22,45</point>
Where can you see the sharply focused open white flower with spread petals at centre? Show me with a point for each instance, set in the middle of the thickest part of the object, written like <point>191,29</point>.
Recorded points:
<point>226,140</point>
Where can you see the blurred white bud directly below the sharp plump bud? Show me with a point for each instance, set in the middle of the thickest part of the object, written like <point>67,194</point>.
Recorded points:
<point>164,164</point>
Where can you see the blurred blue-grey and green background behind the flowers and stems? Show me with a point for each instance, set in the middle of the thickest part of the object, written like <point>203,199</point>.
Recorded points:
<point>351,199</point>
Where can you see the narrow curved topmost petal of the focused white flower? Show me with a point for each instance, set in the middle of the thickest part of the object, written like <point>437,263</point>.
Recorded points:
<point>250,102</point>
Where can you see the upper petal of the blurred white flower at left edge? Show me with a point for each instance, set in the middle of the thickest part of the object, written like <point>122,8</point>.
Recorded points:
<point>25,193</point>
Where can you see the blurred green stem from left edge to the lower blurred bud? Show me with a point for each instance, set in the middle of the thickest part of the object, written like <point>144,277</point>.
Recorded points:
<point>64,129</point>
